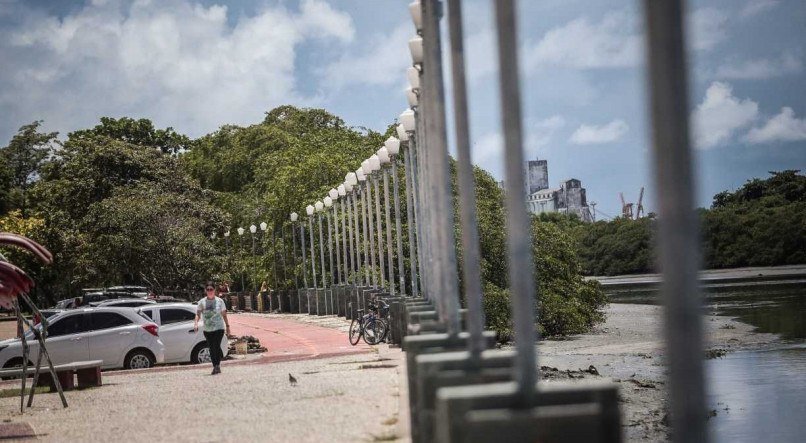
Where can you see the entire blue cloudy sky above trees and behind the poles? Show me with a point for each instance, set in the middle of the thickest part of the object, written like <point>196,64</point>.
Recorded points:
<point>198,65</point>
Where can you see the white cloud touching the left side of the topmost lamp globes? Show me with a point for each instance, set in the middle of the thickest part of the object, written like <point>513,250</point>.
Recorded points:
<point>382,63</point>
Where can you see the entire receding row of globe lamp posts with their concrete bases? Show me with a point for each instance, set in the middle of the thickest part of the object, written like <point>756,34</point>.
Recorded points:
<point>460,389</point>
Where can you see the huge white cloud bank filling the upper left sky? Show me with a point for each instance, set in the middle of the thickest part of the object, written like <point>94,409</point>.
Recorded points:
<point>180,63</point>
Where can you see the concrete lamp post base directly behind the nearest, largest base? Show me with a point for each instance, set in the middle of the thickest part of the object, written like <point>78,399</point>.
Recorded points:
<point>435,371</point>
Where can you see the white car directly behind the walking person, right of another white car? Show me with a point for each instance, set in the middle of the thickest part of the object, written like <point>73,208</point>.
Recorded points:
<point>182,343</point>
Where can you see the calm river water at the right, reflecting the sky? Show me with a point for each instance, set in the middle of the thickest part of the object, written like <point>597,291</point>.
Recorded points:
<point>757,395</point>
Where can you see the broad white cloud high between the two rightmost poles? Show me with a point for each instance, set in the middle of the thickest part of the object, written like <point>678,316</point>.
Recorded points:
<point>613,42</point>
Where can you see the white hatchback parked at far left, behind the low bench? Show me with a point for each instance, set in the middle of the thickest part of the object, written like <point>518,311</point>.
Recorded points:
<point>120,337</point>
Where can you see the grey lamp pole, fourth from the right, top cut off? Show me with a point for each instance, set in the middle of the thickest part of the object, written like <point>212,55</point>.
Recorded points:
<point>440,202</point>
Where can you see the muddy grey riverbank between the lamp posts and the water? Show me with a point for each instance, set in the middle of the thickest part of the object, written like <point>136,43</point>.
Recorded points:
<point>628,349</point>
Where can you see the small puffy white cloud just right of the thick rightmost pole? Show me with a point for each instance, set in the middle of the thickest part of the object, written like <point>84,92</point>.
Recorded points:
<point>720,115</point>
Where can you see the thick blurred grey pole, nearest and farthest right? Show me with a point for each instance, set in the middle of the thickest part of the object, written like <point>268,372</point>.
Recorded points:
<point>678,239</point>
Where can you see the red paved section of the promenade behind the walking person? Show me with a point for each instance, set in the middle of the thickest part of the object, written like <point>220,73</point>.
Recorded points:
<point>290,340</point>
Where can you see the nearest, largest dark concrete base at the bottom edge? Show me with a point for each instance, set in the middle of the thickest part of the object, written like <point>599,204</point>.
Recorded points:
<point>581,411</point>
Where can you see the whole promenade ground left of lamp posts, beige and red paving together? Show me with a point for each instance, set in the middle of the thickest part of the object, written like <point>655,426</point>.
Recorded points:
<point>347,397</point>
